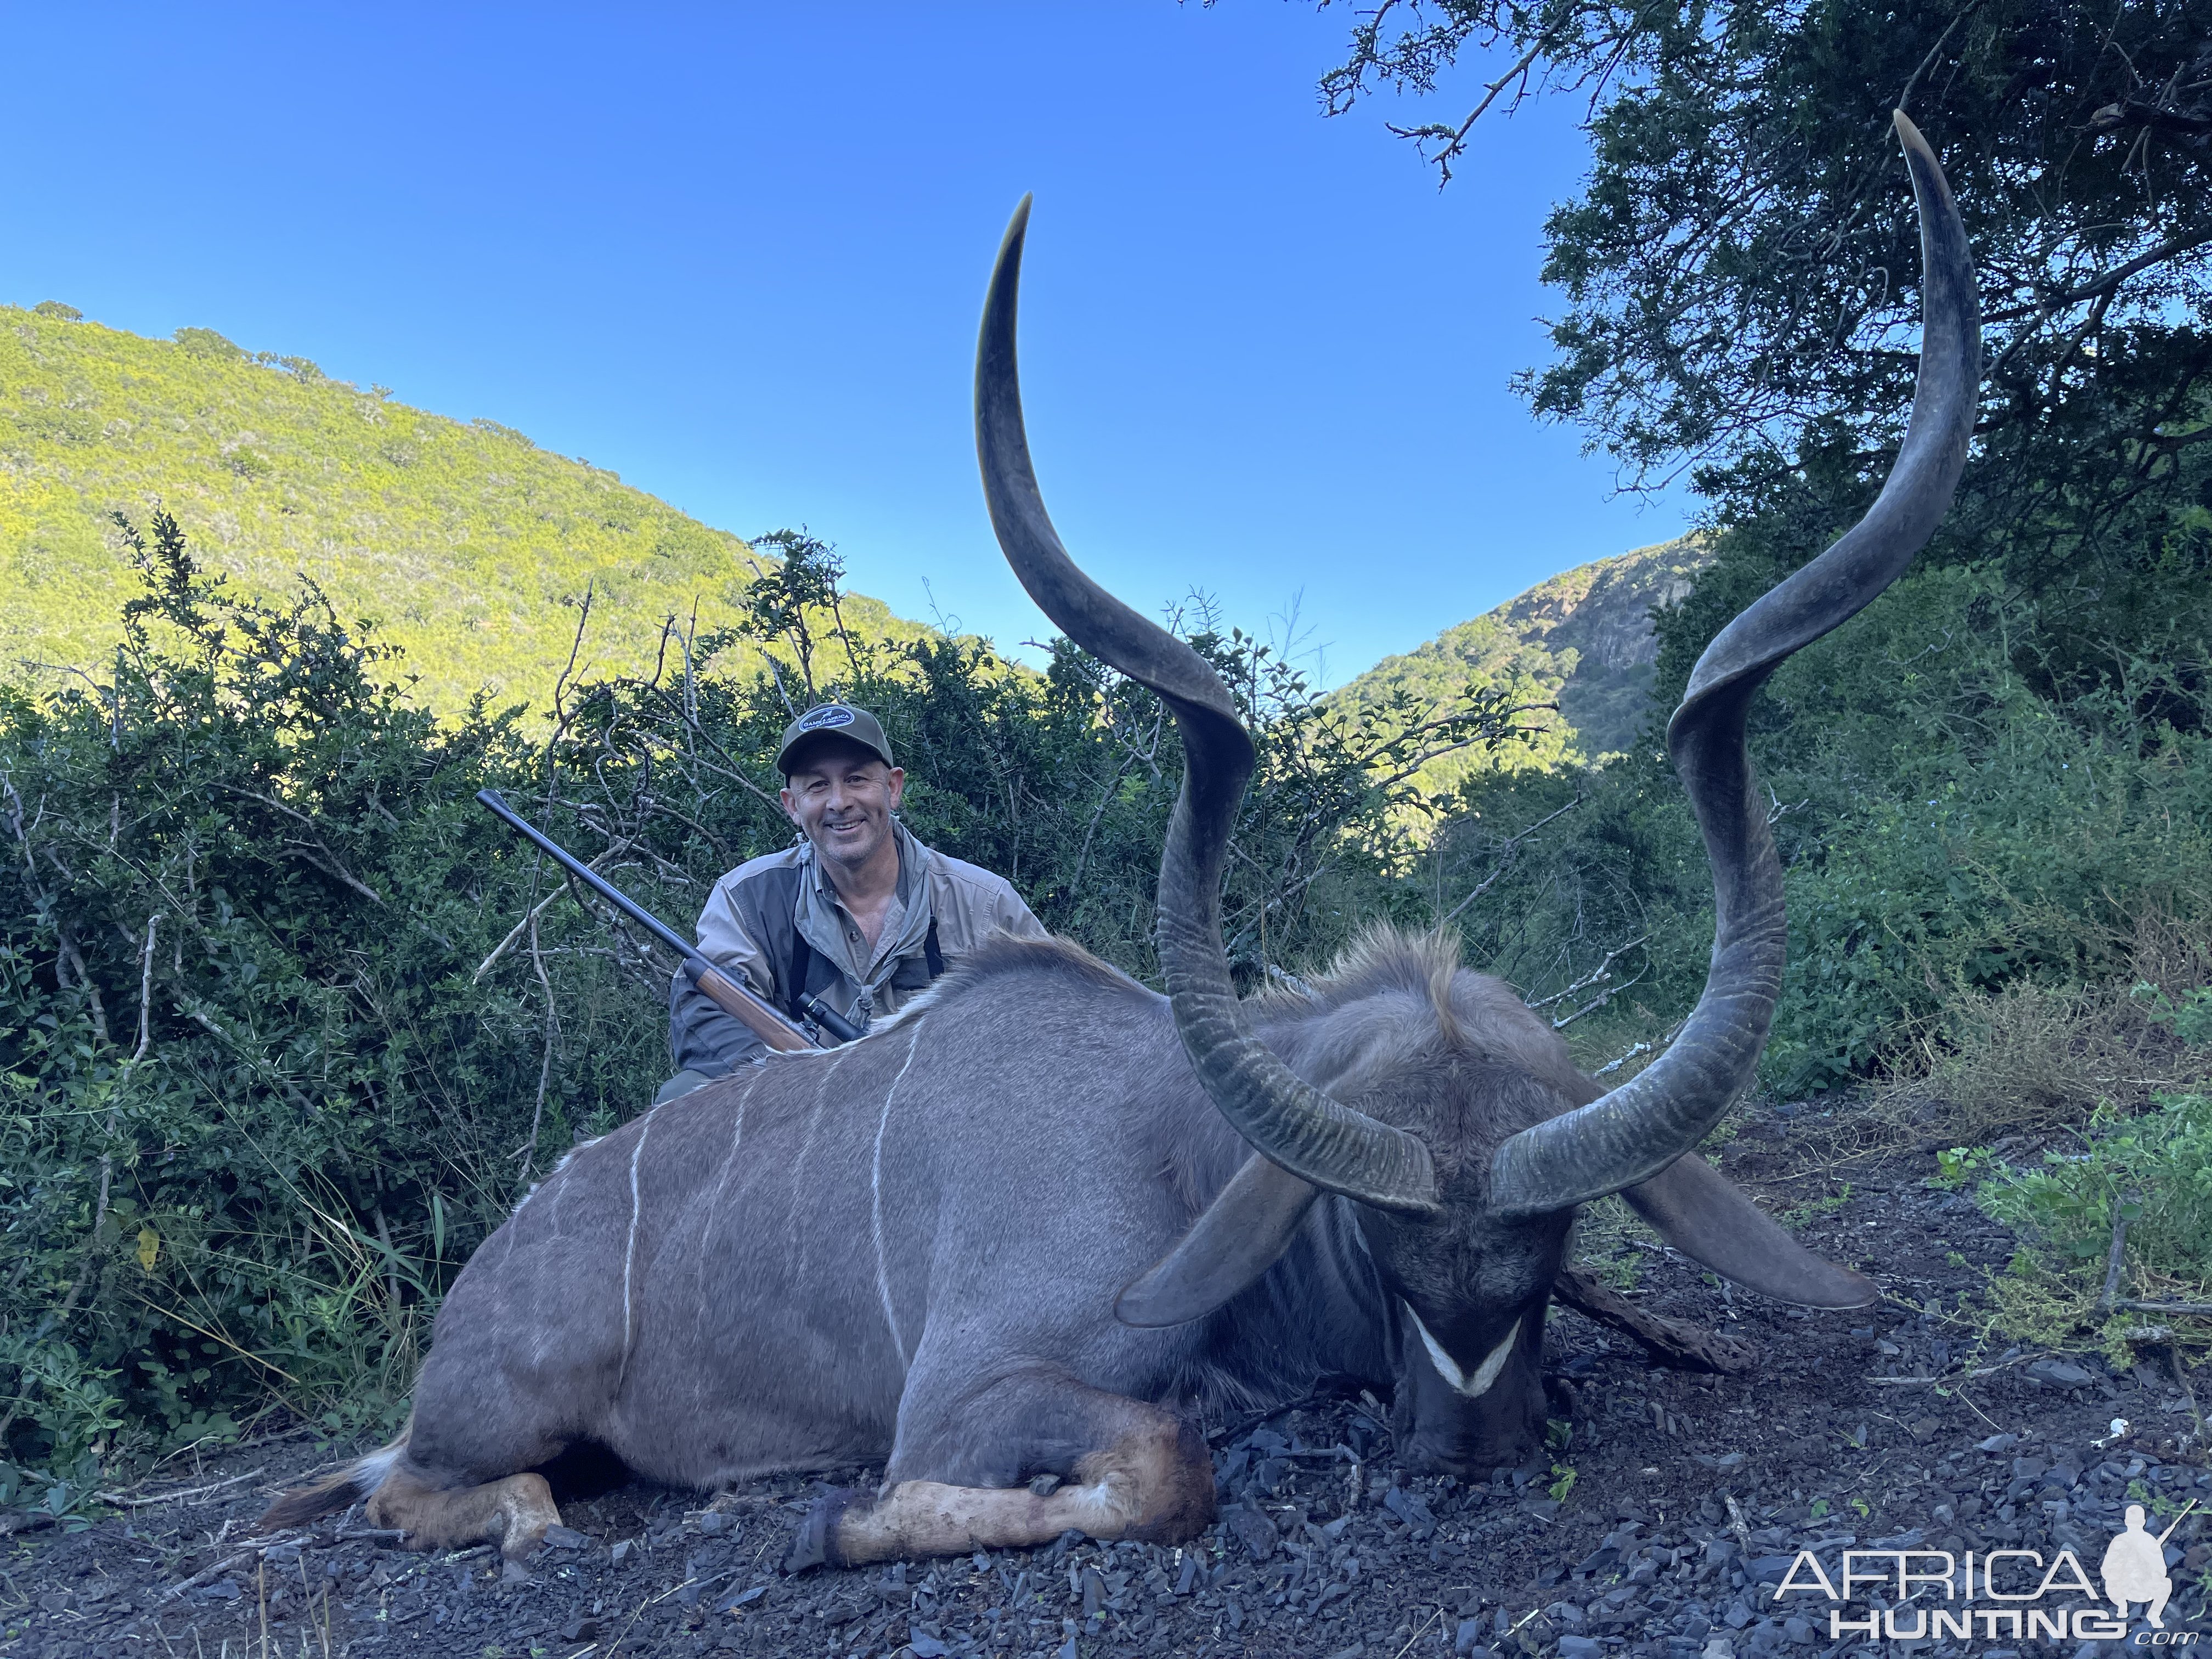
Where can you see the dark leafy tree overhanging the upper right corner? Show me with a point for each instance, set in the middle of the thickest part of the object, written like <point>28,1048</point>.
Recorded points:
<point>1742,271</point>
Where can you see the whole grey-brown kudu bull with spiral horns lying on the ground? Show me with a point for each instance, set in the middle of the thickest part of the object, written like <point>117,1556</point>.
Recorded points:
<point>1043,1218</point>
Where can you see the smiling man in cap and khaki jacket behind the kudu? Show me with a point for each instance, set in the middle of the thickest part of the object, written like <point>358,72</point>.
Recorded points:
<point>859,912</point>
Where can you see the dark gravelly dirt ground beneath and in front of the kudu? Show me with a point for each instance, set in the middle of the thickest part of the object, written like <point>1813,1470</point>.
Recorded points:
<point>1687,1503</point>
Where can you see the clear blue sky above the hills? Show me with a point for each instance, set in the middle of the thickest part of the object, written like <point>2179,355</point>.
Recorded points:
<point>738,255</point>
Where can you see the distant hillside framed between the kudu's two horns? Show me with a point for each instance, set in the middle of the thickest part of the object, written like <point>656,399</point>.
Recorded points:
<point>1583,638</point>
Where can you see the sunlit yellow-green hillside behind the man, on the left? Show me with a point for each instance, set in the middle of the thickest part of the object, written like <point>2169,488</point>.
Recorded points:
<point>461,539</point>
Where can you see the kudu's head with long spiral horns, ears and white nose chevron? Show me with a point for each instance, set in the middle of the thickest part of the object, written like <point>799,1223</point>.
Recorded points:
<point>1465,1207</point>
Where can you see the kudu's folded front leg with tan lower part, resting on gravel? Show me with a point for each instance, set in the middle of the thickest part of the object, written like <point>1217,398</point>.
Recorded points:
<point>1125,1470</point>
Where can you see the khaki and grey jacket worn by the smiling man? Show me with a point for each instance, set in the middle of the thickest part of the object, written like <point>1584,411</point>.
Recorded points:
<point>762,910</point>
